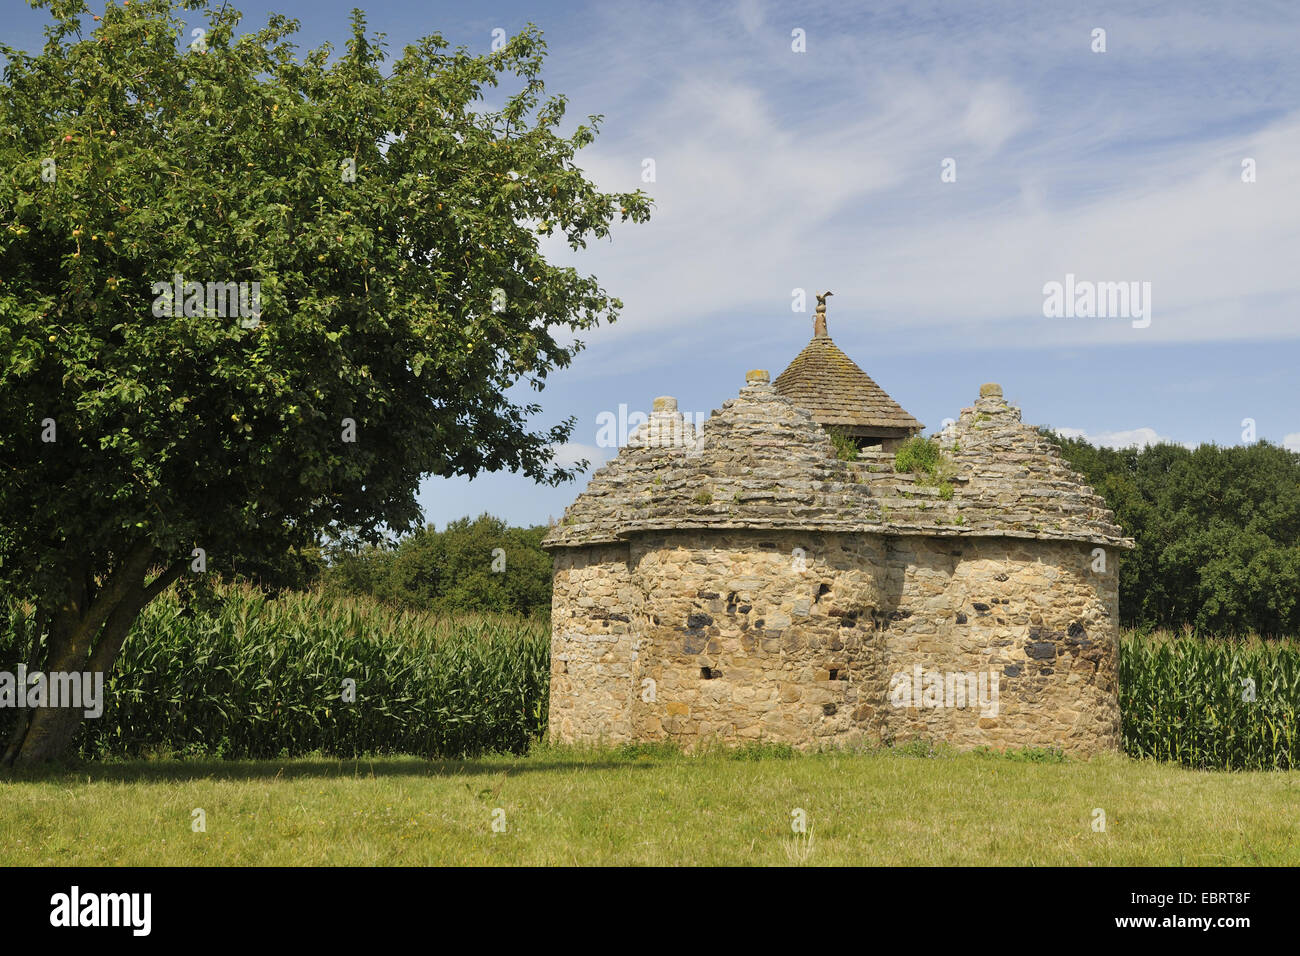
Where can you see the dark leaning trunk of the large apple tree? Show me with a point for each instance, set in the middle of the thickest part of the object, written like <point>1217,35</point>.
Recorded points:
<point>85,635</point>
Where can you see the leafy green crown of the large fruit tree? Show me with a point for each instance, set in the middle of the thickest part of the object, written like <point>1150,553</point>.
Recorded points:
<point>150,175</point>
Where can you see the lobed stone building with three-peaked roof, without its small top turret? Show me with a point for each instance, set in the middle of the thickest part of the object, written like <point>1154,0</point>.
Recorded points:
<point>746,585</point>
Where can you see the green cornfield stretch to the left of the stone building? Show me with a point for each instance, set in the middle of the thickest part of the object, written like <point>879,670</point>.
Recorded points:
<point>257,677</point>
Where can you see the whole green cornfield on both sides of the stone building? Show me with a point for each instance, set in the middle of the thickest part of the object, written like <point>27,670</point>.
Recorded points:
<point>255,677</point>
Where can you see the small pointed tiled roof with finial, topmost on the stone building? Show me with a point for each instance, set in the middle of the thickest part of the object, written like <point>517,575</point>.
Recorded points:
<point>830,384</point>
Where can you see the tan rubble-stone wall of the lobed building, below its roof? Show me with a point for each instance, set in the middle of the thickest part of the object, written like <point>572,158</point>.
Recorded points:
<point>800,638</point>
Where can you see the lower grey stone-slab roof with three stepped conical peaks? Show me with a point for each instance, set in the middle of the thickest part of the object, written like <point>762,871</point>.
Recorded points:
<point>762,462</point>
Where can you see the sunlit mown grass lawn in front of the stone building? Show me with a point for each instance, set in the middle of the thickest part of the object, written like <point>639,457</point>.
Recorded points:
<point>651,807</point>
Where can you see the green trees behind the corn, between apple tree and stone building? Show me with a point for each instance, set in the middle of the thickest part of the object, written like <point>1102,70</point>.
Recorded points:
<point>480,565</point>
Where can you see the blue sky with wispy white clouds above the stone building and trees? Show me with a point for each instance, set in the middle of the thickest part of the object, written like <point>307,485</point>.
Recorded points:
<point>821,170</point>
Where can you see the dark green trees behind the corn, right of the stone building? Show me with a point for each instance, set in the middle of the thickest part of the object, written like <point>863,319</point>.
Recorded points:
<point>1217,533</point>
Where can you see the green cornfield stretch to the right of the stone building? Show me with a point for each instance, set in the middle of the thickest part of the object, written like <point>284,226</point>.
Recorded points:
<point>1211,704</point>
